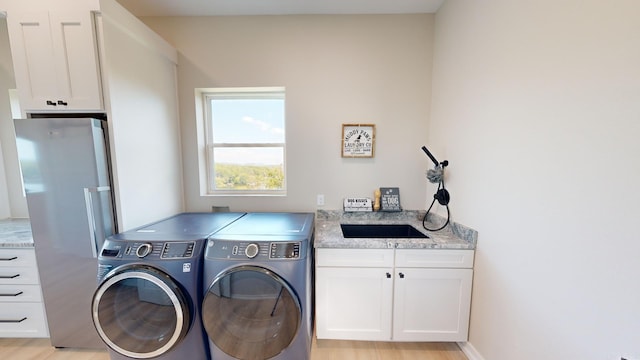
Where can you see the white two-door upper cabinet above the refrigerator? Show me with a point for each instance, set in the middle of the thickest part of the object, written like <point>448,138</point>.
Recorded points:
<point>55,60</point>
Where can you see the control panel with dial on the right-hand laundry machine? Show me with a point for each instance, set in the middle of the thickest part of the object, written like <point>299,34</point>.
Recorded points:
<point>225,249</point>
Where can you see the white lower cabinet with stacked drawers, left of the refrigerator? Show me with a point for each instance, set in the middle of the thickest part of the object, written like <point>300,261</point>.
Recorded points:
<point>21,307</point>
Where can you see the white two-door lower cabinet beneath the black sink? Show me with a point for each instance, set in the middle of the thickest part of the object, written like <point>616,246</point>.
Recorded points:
<point>393,295</point>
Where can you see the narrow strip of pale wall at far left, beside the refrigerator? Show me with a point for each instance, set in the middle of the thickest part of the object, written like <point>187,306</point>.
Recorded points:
<point>12,201</point>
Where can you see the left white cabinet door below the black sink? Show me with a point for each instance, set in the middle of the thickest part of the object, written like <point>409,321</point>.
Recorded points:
<point>353,303</point>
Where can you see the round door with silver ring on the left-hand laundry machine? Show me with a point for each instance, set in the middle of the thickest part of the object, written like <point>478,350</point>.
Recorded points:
<point>141,312</point>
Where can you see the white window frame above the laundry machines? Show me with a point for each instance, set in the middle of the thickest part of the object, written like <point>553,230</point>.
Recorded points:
<point>207,162</point>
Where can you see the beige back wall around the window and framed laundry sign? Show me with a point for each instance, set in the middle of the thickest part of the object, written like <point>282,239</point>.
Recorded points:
<point>336,69</point>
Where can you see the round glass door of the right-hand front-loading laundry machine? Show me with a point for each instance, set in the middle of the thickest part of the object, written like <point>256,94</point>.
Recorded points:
<point>251,313</point>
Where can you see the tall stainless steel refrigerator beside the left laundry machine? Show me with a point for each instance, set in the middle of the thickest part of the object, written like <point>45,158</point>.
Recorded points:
<point>65,167</point>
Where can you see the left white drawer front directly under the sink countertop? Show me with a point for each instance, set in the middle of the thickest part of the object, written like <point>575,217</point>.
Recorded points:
<point>355,257</point>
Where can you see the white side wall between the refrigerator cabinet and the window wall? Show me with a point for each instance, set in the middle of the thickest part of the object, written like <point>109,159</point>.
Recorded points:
<point>139,72</point>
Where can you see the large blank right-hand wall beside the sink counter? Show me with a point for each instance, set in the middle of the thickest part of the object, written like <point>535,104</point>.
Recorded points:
<point>537,106</point>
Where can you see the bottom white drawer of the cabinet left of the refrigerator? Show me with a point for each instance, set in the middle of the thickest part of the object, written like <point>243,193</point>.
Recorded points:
<point>22,320</point>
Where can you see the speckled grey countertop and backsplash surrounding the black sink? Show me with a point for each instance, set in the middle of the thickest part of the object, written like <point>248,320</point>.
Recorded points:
<point>329,235</point>
